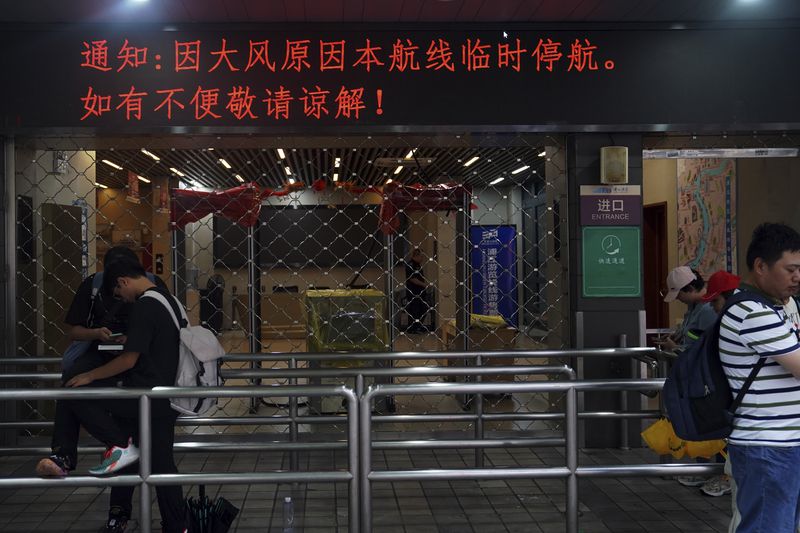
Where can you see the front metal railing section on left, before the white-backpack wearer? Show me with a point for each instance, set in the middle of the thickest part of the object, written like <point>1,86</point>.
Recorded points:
<point>146,478</point>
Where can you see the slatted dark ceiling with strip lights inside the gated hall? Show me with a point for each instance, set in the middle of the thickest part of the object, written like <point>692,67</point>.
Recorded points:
<point>365,165</point>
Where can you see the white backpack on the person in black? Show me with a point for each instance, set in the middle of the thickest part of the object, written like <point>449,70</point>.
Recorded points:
<point>197,363</point>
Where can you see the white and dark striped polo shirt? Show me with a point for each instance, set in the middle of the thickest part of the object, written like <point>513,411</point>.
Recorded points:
<point>770,412</point>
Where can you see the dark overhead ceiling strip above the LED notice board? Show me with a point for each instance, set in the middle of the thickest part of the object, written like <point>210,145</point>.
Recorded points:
<point>393,11</point>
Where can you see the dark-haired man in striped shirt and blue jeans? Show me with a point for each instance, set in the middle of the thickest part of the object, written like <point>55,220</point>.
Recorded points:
<point>764,446</point>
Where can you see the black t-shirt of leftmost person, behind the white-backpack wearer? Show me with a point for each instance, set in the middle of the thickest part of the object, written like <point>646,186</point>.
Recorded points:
<point>107,311</point>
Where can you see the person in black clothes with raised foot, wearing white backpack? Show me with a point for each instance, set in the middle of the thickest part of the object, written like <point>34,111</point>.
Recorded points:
<point>149,359</point>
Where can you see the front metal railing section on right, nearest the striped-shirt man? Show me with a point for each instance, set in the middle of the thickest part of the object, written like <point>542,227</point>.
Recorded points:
<point>570,472</point>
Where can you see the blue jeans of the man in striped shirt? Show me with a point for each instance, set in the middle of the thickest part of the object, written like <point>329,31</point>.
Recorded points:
<point>768,495</point>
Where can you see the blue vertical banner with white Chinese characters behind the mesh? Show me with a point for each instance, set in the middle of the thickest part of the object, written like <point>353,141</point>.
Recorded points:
<point>494,271</point>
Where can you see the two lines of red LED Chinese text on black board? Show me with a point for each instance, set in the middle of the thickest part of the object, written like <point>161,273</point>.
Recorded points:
<point>247,100</point>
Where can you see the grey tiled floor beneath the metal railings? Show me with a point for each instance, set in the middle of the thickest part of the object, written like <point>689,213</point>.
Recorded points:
<point>530,506</point>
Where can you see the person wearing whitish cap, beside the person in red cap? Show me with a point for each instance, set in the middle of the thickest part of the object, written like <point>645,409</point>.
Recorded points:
<point>687,286</point>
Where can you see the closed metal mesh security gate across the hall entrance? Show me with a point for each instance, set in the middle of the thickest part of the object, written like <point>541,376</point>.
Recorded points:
<point>316,273</point>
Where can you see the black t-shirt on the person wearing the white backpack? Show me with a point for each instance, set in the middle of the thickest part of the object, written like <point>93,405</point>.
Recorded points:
<point>152,333</point>
